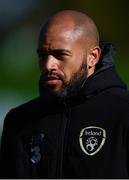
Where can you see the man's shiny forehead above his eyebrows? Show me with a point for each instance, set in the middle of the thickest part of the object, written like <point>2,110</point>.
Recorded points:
<point>60,35</point>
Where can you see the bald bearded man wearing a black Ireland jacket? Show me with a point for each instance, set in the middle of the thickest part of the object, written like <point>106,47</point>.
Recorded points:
<point>79,126</point>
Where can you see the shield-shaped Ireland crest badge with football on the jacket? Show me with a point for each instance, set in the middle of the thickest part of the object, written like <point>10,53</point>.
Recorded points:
<point>92,139</point>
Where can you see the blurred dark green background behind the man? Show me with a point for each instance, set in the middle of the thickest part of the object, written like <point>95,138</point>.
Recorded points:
<point>20,21</point>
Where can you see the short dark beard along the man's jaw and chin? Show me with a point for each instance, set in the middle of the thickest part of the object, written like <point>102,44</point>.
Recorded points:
<point>69,89</point>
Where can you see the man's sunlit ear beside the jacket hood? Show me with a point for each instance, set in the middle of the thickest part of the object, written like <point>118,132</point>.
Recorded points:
<point>93,56</point>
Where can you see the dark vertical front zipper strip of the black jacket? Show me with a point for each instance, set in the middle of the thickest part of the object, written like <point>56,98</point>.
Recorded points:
<point>62,137</point>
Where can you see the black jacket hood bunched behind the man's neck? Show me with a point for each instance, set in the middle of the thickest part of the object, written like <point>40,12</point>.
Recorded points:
<point>105,75</point>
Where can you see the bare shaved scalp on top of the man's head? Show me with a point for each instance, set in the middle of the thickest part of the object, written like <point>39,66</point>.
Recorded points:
<point>80,24</point>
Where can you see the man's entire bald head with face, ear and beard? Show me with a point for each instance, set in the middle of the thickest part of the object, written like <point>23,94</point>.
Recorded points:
<point>68,51</point>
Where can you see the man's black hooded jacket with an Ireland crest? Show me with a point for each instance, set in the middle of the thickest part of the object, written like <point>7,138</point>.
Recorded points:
<point>83,136</point>
